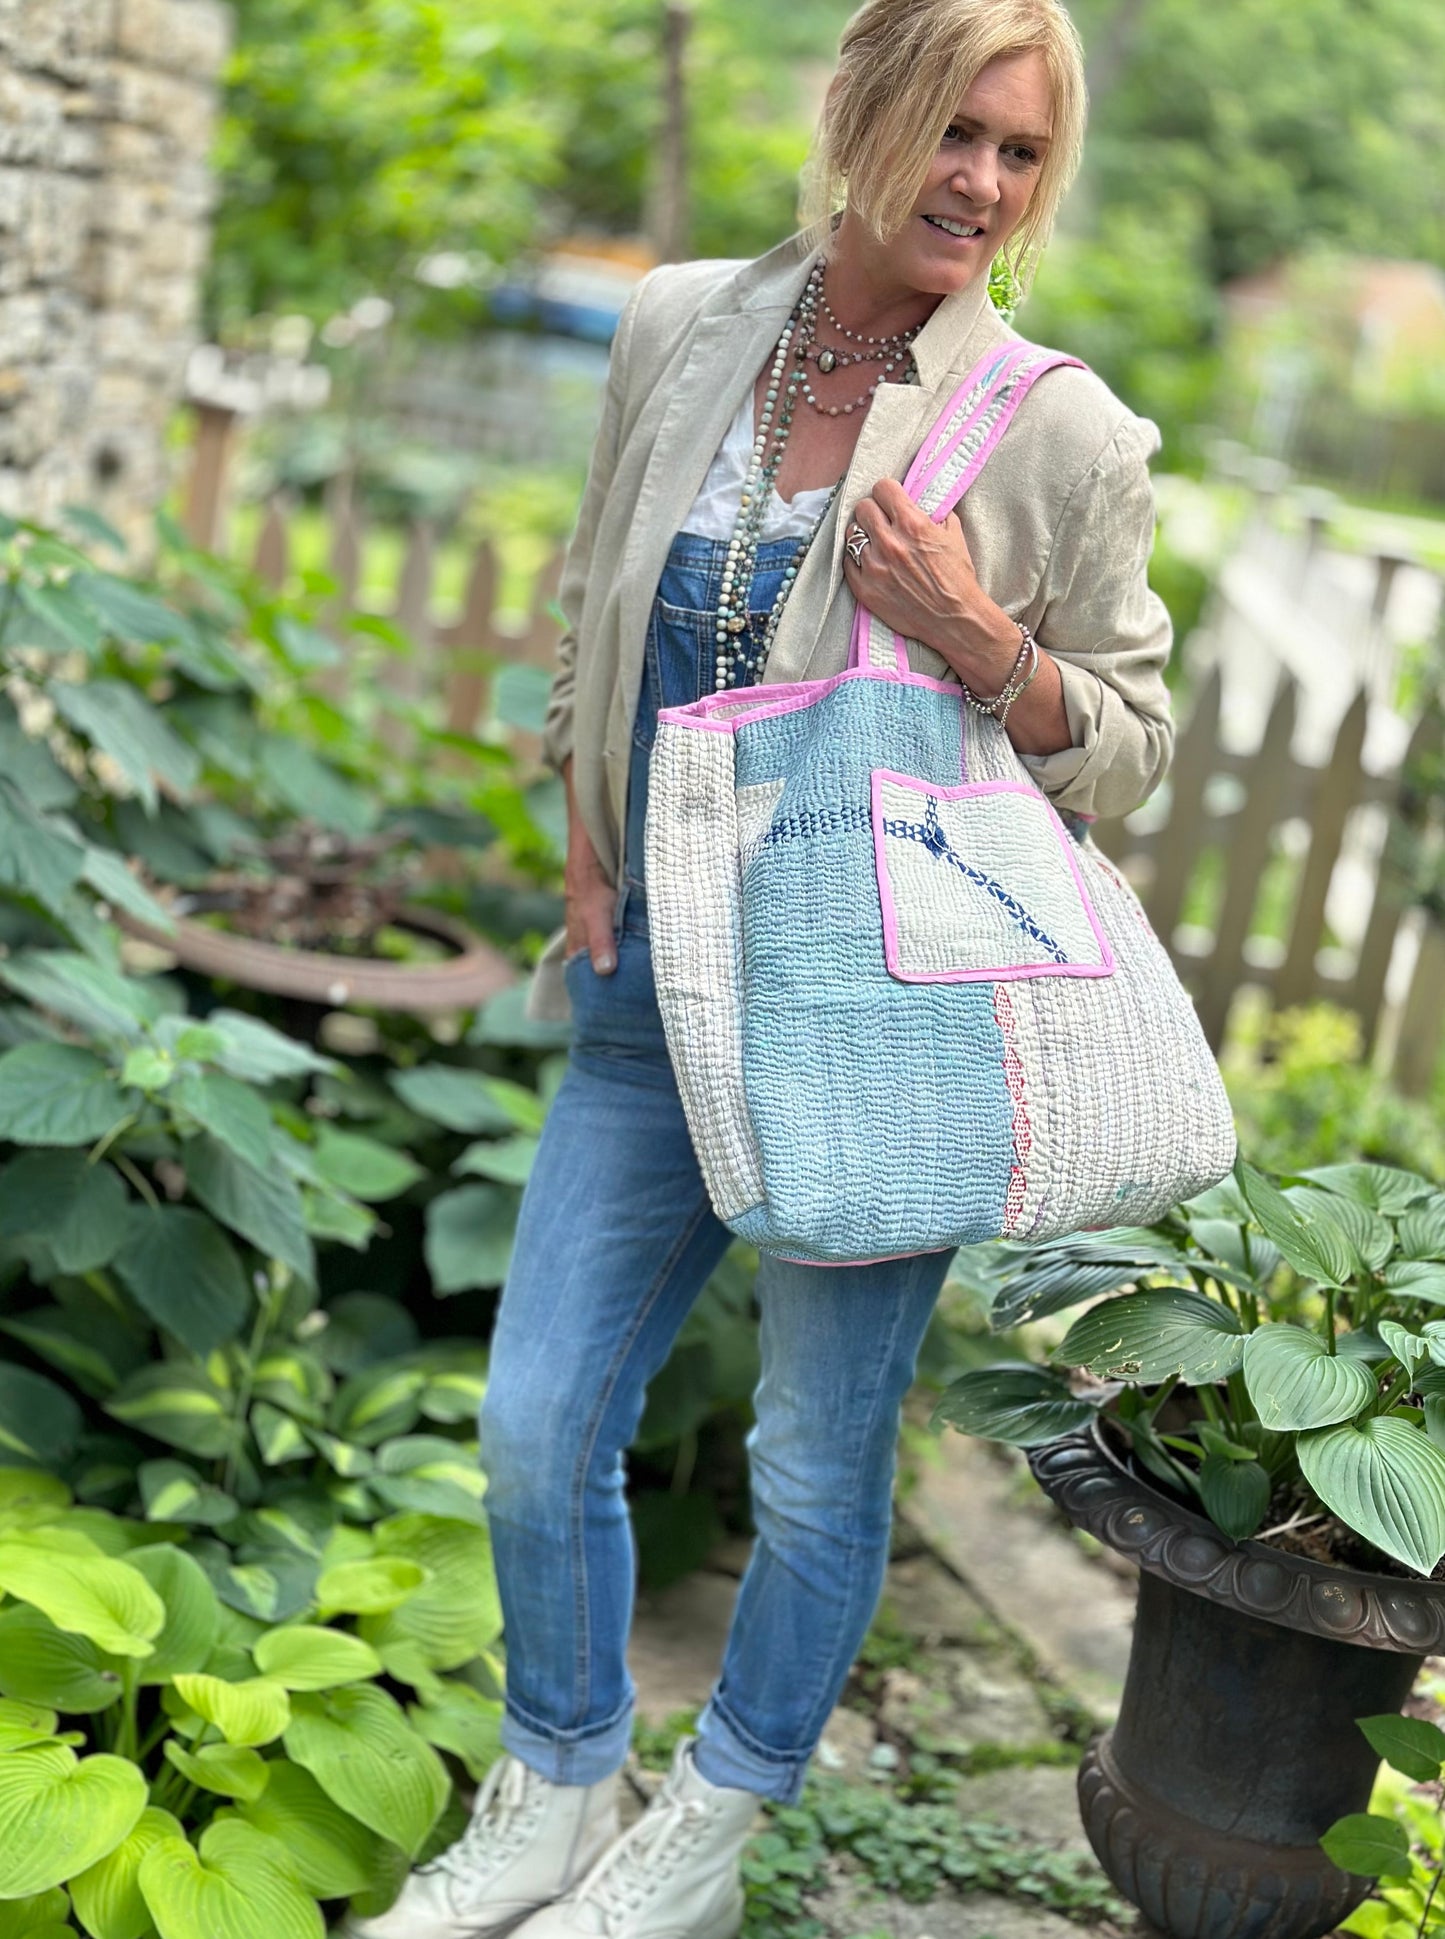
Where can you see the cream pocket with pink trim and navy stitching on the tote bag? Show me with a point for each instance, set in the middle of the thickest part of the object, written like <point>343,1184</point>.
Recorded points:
<point>980,885</point>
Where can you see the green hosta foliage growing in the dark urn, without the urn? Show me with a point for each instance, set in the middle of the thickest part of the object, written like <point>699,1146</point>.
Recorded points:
<point>1273,1352</point>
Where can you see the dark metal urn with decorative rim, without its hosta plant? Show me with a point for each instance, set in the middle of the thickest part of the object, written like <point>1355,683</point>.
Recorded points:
<point>1236,1742</point>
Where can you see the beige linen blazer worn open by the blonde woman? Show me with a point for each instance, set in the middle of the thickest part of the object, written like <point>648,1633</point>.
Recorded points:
<point>1060,526</point>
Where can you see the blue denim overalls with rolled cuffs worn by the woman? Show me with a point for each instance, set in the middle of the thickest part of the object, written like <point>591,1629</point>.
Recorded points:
<point>614,1246</point>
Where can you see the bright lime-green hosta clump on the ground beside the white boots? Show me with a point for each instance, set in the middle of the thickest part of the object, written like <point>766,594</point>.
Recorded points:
<point>172,1764</point>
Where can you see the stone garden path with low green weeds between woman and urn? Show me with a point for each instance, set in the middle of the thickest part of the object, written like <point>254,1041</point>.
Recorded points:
<point>998,1649</point>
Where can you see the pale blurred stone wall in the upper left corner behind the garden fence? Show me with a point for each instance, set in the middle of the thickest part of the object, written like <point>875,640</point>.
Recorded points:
<point>106,125</point>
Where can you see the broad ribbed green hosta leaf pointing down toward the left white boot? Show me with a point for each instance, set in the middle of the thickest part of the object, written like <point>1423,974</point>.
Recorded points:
<point>369,1762</point>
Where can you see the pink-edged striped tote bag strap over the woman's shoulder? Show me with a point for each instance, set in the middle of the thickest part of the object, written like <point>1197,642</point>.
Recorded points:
<point>951,459</point>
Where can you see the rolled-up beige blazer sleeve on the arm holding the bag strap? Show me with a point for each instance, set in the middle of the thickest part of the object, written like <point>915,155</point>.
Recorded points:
<point>1110,637</point>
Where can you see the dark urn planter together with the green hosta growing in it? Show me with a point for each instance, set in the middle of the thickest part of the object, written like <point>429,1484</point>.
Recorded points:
<point>1256,1415</point>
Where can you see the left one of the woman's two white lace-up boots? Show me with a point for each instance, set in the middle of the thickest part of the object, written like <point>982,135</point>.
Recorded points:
<point>529,1843</point>
